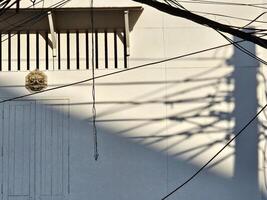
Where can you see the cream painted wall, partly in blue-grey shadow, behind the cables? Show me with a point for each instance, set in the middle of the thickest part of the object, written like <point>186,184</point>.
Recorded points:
<point>157,125</point>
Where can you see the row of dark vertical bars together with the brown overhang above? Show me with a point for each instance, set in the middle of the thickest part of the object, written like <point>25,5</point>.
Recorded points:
<point>26,39</point>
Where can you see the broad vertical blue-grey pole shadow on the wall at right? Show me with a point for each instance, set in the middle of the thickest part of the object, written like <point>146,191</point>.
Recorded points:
<point>245,97</point>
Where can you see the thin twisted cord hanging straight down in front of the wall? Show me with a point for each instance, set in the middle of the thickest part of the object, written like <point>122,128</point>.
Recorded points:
<point>93,86</point>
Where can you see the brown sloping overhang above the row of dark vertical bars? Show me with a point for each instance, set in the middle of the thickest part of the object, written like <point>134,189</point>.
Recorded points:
<point>69,19</point>
